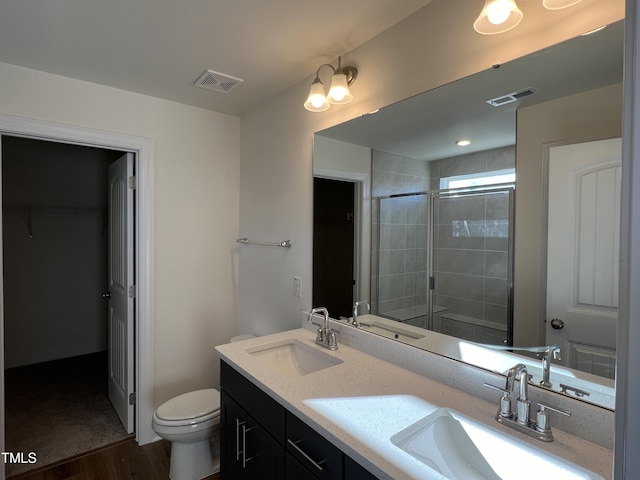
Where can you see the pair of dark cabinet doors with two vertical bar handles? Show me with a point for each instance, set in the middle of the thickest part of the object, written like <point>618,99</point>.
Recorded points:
<point>247,450</point>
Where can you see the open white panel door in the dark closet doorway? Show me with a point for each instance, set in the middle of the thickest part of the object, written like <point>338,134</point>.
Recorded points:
<point>121,289</point>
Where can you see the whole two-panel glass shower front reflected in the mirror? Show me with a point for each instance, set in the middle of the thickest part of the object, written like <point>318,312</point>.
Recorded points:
<point>443,261</point>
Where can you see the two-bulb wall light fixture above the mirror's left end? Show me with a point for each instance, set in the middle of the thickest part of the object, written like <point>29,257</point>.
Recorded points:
<point>339,92</point>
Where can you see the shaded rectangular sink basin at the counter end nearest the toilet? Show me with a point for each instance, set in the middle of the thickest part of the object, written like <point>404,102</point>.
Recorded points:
<point>293,358</point>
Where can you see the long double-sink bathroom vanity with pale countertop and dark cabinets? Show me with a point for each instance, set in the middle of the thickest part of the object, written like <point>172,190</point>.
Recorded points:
<point>348,414</point>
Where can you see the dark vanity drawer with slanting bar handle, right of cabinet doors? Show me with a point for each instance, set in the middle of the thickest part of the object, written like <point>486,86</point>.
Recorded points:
<point>312,450</point>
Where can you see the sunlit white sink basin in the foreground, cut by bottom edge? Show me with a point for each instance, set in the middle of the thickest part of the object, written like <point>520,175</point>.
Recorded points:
<point>460,448</point>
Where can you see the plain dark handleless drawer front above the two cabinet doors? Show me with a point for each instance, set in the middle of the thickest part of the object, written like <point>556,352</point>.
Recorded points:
<point>264,409</point>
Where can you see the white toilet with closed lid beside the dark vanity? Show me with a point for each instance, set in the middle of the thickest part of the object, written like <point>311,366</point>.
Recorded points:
<point>189,422</point>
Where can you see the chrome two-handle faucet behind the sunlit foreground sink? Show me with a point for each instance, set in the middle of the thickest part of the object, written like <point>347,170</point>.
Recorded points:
<point>520,420</point>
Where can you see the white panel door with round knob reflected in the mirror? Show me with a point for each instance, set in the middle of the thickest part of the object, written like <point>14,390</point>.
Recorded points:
<point>583,252</point>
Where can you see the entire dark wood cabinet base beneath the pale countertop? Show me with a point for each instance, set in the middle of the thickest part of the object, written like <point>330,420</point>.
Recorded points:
<point>261,439</point>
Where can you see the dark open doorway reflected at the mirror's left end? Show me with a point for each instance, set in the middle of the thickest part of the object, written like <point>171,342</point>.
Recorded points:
<point>333,245</point>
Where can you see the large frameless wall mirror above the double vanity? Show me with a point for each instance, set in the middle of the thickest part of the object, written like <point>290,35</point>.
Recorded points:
<point>452,245</point>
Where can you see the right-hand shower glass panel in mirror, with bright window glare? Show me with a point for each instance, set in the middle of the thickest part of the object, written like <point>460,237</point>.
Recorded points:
<point>470,265</point>
